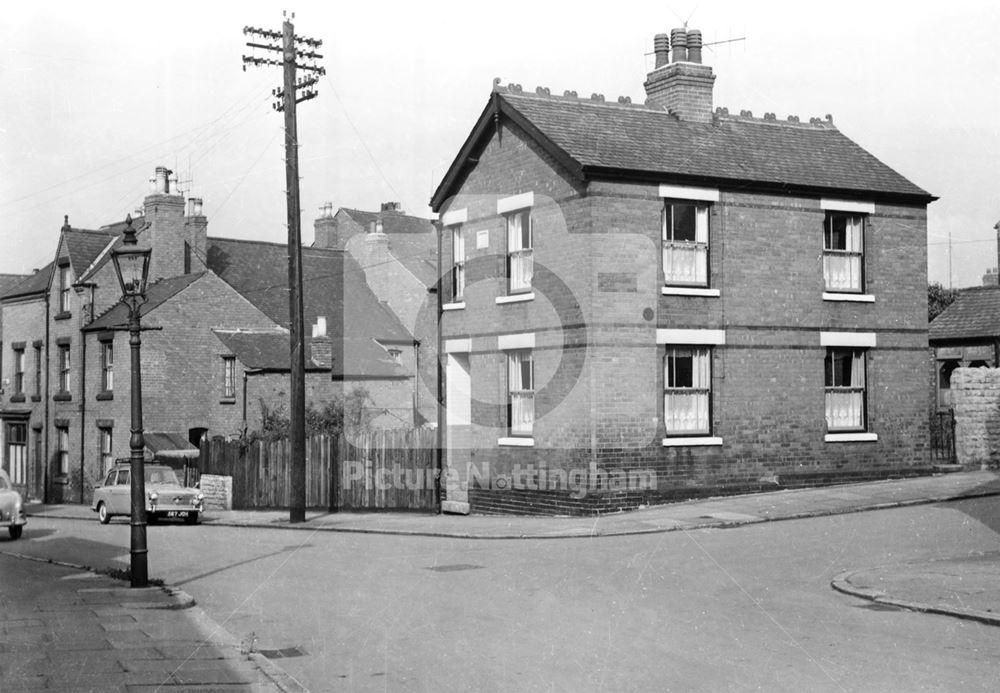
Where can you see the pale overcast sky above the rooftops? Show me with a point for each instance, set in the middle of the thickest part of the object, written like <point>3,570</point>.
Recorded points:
<point>96,95</point>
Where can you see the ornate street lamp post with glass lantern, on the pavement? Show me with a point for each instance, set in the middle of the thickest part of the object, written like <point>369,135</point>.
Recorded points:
<point>132,268</point>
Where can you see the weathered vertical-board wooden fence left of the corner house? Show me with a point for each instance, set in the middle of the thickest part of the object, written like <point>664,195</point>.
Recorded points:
<point>381,470</point>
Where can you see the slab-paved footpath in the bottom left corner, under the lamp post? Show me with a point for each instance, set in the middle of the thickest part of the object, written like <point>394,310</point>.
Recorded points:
<point>66,629</point>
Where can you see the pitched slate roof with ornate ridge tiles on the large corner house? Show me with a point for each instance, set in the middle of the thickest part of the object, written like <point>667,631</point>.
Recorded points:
<point>593,139</point>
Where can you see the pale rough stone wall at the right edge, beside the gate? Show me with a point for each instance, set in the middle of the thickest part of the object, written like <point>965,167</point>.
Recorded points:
<point>976,401</point>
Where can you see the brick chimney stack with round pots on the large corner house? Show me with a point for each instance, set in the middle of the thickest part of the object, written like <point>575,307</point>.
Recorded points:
<point>684,86</point>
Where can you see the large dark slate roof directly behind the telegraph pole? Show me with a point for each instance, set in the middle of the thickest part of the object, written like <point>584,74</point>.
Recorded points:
<point>331,279</point>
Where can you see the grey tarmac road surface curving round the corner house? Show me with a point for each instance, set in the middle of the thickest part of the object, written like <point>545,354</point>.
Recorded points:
<point>736,609</point>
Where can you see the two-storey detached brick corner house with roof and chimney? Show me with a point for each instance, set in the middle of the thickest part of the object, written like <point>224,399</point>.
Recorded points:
<point>660,301</point>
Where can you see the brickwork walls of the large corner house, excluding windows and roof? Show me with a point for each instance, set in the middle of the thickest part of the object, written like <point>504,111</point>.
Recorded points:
<point>599,382</point>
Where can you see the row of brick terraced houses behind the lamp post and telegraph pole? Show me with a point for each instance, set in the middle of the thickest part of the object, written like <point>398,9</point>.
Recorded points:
<point>218,309</point>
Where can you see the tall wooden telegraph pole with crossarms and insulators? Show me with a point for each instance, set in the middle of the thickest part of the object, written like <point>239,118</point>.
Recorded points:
<point>293,49</point>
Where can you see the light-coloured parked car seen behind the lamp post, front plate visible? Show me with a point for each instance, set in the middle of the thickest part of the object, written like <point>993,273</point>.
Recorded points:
<point>165,496</point>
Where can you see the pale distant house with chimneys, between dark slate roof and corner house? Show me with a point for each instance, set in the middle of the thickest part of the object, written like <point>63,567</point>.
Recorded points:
<point>398,254</point>
